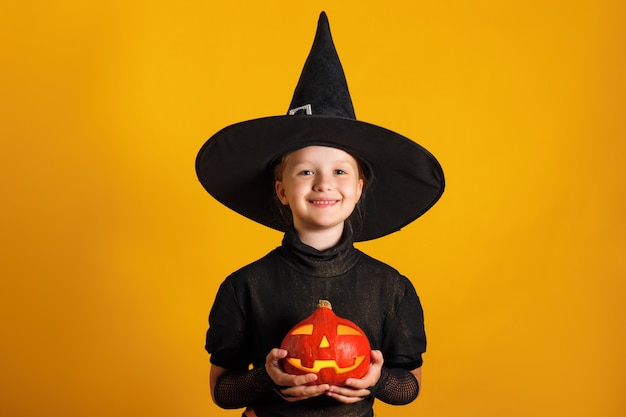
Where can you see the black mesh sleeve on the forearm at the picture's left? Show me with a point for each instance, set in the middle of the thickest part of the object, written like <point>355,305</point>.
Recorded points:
<point>238,389</point>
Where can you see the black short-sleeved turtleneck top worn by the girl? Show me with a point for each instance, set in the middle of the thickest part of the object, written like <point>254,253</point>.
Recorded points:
<point>257,305</point>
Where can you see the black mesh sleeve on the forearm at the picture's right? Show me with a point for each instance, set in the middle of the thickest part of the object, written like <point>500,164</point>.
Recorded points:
<point>396,386</point>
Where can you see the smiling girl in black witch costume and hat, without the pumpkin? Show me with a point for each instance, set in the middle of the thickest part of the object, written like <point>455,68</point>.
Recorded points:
<point>340,180</point>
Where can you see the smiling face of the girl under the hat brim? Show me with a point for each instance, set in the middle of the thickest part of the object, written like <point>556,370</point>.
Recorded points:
<point>321,185</point>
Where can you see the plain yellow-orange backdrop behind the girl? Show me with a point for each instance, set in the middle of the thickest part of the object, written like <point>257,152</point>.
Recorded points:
<point>111,252</point>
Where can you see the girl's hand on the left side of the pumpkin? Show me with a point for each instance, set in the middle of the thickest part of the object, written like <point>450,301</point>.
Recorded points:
<point>291,387</point>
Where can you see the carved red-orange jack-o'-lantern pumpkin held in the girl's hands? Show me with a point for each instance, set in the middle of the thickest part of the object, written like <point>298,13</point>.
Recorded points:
<point>332,347</point>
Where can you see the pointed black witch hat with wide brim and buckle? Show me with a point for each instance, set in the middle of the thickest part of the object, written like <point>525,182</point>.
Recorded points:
<point>235,165</point>
